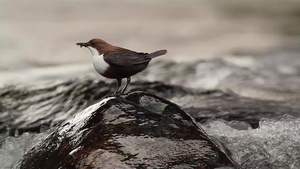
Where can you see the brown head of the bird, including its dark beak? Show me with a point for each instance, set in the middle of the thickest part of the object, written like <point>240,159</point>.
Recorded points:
<point>100,45</point>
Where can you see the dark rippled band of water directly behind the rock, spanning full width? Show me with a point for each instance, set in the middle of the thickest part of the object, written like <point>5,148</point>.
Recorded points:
<point>28,108</point>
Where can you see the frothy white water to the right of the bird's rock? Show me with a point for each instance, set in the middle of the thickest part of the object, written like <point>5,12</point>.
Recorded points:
<point>274,145</point>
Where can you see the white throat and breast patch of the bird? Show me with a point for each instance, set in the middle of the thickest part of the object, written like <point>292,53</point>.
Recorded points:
<point>98,61</point>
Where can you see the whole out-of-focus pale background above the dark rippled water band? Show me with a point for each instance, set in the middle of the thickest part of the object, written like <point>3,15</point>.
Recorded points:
<point>249,47</point>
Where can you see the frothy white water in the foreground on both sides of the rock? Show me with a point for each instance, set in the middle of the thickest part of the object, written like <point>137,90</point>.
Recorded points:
<point>275,144</point>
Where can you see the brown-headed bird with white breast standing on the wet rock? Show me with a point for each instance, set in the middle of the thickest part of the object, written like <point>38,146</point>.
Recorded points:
<point>116,62</point>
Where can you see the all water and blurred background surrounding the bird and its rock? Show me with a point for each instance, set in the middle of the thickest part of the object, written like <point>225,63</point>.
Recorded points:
<point>225,59</point>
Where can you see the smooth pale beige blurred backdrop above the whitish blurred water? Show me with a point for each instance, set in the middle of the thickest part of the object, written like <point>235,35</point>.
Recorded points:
<point>43,33</point>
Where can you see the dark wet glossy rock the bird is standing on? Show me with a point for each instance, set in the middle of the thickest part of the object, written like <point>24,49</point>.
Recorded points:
<point>140,130</point>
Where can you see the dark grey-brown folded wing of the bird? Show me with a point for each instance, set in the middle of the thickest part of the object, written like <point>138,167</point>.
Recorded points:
<point>124,57</point>
